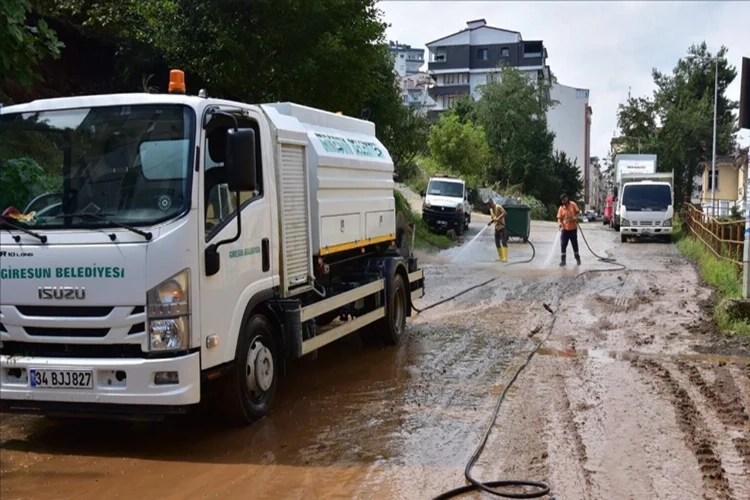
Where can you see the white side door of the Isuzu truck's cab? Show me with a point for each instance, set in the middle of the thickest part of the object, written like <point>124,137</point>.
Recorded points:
<point>247,266</point>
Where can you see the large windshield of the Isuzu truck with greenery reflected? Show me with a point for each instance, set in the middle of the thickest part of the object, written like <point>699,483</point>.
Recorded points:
<point>128,164</point>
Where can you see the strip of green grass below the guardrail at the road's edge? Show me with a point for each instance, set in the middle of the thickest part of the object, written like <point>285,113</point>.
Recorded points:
<point>721,275</point>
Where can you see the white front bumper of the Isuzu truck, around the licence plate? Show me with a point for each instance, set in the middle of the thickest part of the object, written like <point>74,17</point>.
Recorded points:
<point>136,389</point>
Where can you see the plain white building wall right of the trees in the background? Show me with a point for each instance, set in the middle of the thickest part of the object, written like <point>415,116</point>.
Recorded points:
<point>570,120</point>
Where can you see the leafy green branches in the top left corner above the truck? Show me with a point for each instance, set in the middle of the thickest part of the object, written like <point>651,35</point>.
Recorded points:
<point>23,46</point>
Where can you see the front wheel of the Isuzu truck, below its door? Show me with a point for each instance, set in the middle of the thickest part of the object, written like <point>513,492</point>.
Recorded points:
<point>249,389</point>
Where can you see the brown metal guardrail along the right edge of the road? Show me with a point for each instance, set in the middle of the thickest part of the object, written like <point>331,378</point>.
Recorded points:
<point>724,239</point>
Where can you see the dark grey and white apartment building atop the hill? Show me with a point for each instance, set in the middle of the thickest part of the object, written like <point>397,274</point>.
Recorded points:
<point>463,61</point>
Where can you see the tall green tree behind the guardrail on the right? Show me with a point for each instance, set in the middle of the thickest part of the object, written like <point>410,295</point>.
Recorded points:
<point>676,123</point>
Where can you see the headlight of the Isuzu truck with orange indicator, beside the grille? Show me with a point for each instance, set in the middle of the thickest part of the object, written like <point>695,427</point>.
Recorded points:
<point>168,314</point>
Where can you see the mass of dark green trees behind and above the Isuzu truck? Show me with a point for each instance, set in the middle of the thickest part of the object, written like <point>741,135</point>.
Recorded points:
<point>328,54</point>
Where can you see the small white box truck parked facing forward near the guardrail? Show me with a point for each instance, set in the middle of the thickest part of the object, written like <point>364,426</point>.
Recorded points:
<point>646,206</point>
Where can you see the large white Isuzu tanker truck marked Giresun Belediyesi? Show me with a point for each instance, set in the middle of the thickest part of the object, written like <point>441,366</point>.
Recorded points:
<point>130,286</point>
